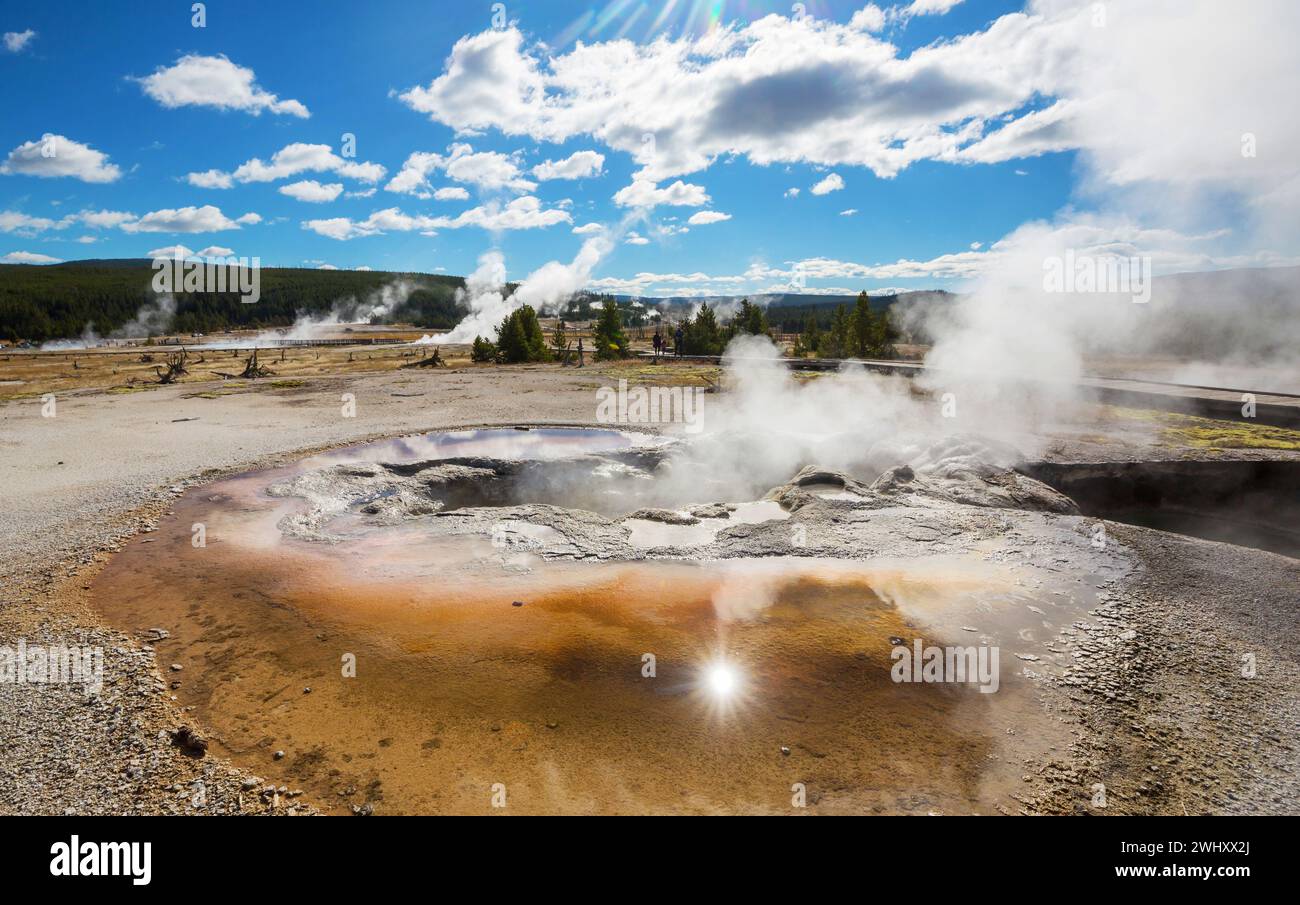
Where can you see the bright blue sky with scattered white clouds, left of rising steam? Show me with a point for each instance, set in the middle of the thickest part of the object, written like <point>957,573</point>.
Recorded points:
<point>959,153</point>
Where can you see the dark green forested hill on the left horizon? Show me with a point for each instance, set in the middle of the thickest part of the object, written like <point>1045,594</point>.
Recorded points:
<point>63,301</point>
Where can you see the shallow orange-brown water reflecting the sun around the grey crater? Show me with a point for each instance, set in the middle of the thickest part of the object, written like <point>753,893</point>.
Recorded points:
<point>458,689</point>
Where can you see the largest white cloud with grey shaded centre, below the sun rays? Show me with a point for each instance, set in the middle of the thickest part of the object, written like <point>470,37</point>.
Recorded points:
<point>775,90</point>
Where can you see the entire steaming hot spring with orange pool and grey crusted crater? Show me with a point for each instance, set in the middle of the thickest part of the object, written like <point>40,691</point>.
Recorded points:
<point>595,621</point>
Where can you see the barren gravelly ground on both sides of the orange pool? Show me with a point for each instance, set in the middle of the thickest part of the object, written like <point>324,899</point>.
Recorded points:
<point>1186,734</point>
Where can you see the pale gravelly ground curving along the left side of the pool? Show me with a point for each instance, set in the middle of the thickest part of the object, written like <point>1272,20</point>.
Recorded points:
<point>106,467</point>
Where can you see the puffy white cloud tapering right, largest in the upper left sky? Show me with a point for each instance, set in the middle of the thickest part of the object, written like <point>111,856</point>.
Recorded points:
<point>215,81</point>
